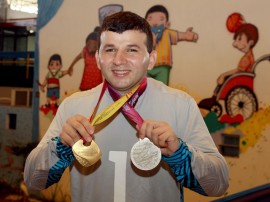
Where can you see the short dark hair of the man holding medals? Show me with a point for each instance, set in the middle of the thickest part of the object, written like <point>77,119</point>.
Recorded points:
<point>126,20</point>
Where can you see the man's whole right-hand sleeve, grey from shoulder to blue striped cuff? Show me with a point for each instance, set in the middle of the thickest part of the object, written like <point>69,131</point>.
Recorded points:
<point>197,164</point>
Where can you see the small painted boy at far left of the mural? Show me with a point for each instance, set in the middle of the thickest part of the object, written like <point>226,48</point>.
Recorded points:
<point>52,80</point>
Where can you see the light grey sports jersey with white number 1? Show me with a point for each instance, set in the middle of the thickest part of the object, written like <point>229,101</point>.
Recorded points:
<point>114,178</point>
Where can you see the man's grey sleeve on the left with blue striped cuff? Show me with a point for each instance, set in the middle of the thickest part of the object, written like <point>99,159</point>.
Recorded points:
<point>46,163</point>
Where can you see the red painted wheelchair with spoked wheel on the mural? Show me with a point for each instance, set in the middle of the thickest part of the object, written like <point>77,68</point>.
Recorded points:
<point>237,91</point>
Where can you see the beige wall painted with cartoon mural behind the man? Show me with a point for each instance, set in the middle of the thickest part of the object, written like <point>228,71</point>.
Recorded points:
<point>237,115</point>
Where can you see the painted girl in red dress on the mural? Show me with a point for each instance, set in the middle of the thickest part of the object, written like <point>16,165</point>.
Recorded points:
<point>91,74</point>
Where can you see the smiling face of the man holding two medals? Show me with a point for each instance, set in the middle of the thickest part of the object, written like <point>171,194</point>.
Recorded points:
<point>123,58</point>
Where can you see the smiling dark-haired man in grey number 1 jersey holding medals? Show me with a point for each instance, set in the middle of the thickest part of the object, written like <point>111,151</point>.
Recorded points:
<point>172,122</point>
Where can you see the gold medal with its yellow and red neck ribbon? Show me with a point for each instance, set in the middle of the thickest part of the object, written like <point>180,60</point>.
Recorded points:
<point>88,155</point>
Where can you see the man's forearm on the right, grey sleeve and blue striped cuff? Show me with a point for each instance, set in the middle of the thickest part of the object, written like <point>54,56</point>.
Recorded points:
<point>204,173</point>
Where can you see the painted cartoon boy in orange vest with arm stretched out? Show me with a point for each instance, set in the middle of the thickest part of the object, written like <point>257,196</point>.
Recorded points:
<point>158,18</point>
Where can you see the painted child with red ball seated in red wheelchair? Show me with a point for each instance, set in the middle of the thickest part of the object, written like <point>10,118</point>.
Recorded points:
<point>240,79</point>
